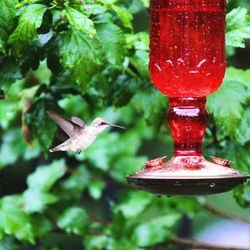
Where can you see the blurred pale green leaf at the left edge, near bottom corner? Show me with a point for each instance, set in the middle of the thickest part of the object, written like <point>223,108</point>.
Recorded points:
<point>13,221</point>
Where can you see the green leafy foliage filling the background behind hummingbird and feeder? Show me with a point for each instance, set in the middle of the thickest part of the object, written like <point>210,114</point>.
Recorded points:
<point>89,59</point>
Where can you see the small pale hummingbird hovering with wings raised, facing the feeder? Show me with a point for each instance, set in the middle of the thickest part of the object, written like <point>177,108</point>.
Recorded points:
<point>80,135</point>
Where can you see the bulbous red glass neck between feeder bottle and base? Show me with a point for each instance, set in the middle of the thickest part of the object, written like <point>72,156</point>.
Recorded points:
<point>187,119</point>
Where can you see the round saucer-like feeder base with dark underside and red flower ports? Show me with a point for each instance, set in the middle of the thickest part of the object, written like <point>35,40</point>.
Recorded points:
<point>187,175</point>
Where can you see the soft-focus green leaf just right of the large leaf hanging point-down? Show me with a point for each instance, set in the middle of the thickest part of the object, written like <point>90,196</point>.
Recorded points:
<point>112,40</point>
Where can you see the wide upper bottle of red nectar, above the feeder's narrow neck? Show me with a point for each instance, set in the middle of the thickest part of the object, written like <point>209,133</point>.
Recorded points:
<point>187,46</point>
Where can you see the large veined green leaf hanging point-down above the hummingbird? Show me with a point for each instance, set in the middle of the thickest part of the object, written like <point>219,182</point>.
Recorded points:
<point>80,55</point>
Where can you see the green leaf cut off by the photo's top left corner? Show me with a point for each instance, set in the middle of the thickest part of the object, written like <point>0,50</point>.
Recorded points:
<point>7,17</point>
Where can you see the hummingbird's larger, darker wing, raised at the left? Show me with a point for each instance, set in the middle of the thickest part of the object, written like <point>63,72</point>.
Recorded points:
<point>71,128</point>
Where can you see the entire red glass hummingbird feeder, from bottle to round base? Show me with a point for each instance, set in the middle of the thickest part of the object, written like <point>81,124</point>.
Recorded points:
<point>187,63</point>
